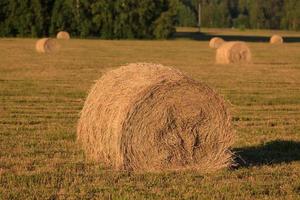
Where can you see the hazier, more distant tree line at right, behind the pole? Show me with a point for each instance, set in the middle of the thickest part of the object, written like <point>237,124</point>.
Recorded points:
<point>250,14</point>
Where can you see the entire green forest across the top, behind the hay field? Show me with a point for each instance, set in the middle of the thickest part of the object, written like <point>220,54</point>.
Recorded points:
<point>141,18</point>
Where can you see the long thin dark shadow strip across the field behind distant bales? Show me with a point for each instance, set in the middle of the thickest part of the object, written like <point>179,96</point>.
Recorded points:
<point>206,37</point>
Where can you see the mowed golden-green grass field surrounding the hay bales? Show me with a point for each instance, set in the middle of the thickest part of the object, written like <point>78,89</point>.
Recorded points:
<point>41,96</point>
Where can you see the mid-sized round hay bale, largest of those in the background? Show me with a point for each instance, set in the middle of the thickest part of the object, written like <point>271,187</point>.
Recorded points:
<point>233,52</point>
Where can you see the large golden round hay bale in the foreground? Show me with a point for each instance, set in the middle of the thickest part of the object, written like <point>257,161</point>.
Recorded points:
<point>147,117</point>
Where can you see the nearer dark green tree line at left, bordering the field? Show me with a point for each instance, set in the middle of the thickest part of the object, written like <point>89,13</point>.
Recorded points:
<point>89,18</point>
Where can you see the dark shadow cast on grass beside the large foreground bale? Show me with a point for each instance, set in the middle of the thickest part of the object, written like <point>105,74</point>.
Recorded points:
<point>273,152</point>
